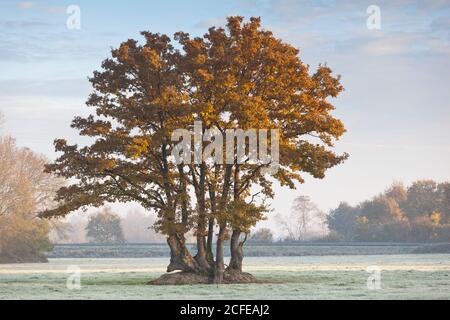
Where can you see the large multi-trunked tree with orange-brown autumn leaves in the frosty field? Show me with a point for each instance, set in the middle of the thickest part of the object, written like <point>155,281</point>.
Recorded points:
<point>240,77</point>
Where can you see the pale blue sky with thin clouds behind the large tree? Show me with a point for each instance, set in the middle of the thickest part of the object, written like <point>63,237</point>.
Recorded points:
<point>396,103</point>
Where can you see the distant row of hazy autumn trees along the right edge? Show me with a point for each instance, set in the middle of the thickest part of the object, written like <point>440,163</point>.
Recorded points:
<point>418,213</point>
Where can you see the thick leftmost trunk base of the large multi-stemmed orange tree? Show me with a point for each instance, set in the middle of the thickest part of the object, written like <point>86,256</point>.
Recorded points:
<point>180,258</point>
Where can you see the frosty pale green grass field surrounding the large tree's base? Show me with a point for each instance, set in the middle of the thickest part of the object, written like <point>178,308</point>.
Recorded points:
<point>405,276</point>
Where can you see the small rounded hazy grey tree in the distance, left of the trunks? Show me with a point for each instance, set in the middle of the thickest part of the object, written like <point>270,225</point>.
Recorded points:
<point>104,227</point>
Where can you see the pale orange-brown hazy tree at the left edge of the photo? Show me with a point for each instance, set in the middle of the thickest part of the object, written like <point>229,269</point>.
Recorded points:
<point>24,190</point>
